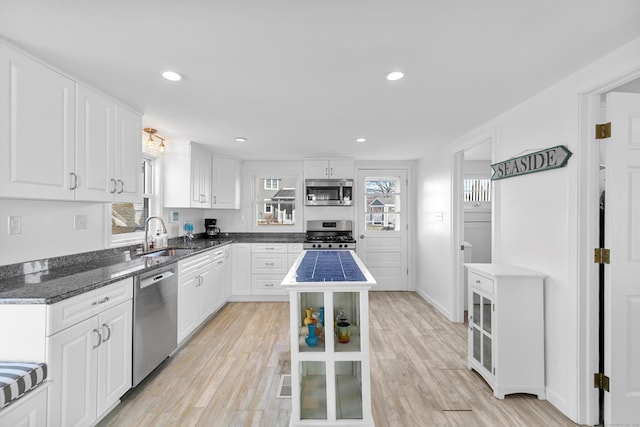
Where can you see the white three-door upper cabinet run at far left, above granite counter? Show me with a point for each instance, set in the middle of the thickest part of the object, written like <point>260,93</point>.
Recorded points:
<point>63,141</point>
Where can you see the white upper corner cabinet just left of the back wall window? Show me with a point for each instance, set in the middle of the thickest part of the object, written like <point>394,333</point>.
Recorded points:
<point>225,185</point>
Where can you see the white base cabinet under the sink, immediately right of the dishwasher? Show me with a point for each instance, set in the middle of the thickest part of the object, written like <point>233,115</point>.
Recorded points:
<point>195,293</point>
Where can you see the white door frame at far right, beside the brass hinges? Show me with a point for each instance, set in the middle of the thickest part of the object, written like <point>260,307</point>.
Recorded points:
<point>589,104</point>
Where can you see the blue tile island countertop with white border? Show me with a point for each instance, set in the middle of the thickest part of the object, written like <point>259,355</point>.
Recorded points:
<point>327,268</point>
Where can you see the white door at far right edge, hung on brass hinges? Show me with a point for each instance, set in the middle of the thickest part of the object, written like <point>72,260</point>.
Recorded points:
<point>622,236</point>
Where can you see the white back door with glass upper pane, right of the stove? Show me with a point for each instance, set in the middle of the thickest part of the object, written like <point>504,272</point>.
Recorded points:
<point>382,226</point>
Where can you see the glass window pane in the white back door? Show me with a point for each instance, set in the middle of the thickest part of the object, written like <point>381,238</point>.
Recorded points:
<point>382,203</point>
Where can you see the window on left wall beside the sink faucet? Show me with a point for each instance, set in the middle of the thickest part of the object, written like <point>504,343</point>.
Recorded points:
<point>127,219</point>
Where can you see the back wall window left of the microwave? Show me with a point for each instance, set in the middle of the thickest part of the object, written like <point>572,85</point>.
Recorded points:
<point>275,201</point>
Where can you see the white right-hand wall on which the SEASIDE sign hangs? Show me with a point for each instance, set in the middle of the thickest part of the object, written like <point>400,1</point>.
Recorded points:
<point>536,215</point>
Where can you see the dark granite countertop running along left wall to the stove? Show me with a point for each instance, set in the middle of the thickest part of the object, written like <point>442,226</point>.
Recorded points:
<point>51,280</point>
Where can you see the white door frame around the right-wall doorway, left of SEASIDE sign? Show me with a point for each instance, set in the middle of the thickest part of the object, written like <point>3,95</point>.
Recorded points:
<point>457,218</point>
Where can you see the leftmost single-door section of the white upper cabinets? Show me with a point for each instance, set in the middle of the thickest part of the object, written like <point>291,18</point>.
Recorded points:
<point>37,116</point>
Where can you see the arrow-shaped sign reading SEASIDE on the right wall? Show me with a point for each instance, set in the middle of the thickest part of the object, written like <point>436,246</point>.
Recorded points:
<point>551,158</point>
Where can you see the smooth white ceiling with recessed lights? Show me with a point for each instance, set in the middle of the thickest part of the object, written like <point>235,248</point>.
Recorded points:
<point>302,78</point>
